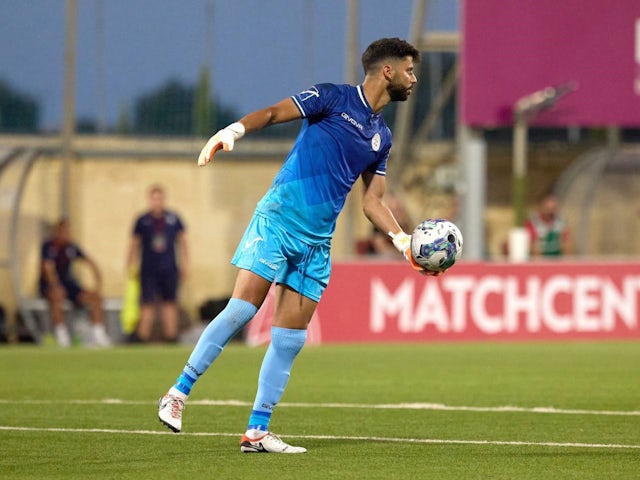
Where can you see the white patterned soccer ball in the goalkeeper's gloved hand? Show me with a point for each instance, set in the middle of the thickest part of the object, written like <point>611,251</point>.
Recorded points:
<point>436,244</point>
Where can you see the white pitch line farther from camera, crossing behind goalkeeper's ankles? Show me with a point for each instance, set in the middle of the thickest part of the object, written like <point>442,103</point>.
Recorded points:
<point>383,406</point>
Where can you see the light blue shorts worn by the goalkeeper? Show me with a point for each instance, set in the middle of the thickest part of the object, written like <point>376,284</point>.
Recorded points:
<point>266,249</point>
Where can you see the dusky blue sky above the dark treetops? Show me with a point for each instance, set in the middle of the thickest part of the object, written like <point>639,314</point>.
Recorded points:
<point>262,51</point>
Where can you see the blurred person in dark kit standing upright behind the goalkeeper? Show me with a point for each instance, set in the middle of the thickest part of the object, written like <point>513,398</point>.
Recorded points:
<point>153,250</point>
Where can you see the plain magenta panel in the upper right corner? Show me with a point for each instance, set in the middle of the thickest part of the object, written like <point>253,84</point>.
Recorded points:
<point>514,48</point>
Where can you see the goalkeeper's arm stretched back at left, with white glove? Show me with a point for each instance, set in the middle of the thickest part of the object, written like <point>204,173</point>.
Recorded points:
<point>283,111</point>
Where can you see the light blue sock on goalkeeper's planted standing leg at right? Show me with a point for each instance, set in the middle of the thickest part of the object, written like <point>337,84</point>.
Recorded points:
<point>274,374</point>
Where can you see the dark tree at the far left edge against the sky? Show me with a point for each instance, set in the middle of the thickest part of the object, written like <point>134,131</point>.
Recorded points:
<point>18,112</point>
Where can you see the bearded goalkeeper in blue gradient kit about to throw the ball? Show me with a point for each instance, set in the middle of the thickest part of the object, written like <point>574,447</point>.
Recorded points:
<point>343,137</point>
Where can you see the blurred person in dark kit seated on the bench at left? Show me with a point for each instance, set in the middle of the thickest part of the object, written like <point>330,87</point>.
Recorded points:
<point>57,283</point>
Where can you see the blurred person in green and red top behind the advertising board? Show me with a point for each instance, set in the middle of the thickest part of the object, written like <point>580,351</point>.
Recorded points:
<point>550,236</point>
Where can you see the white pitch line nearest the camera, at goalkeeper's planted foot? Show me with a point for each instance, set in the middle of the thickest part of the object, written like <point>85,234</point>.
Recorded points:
<point>433,441</point>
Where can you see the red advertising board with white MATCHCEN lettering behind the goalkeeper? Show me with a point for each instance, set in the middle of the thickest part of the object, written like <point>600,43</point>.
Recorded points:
<point>388,302</point>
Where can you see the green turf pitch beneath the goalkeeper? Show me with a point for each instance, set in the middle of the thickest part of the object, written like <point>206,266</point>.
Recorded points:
<point>48,388</point>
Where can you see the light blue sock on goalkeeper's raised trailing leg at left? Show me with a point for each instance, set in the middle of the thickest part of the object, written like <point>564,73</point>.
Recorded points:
<point>223,328</point>
